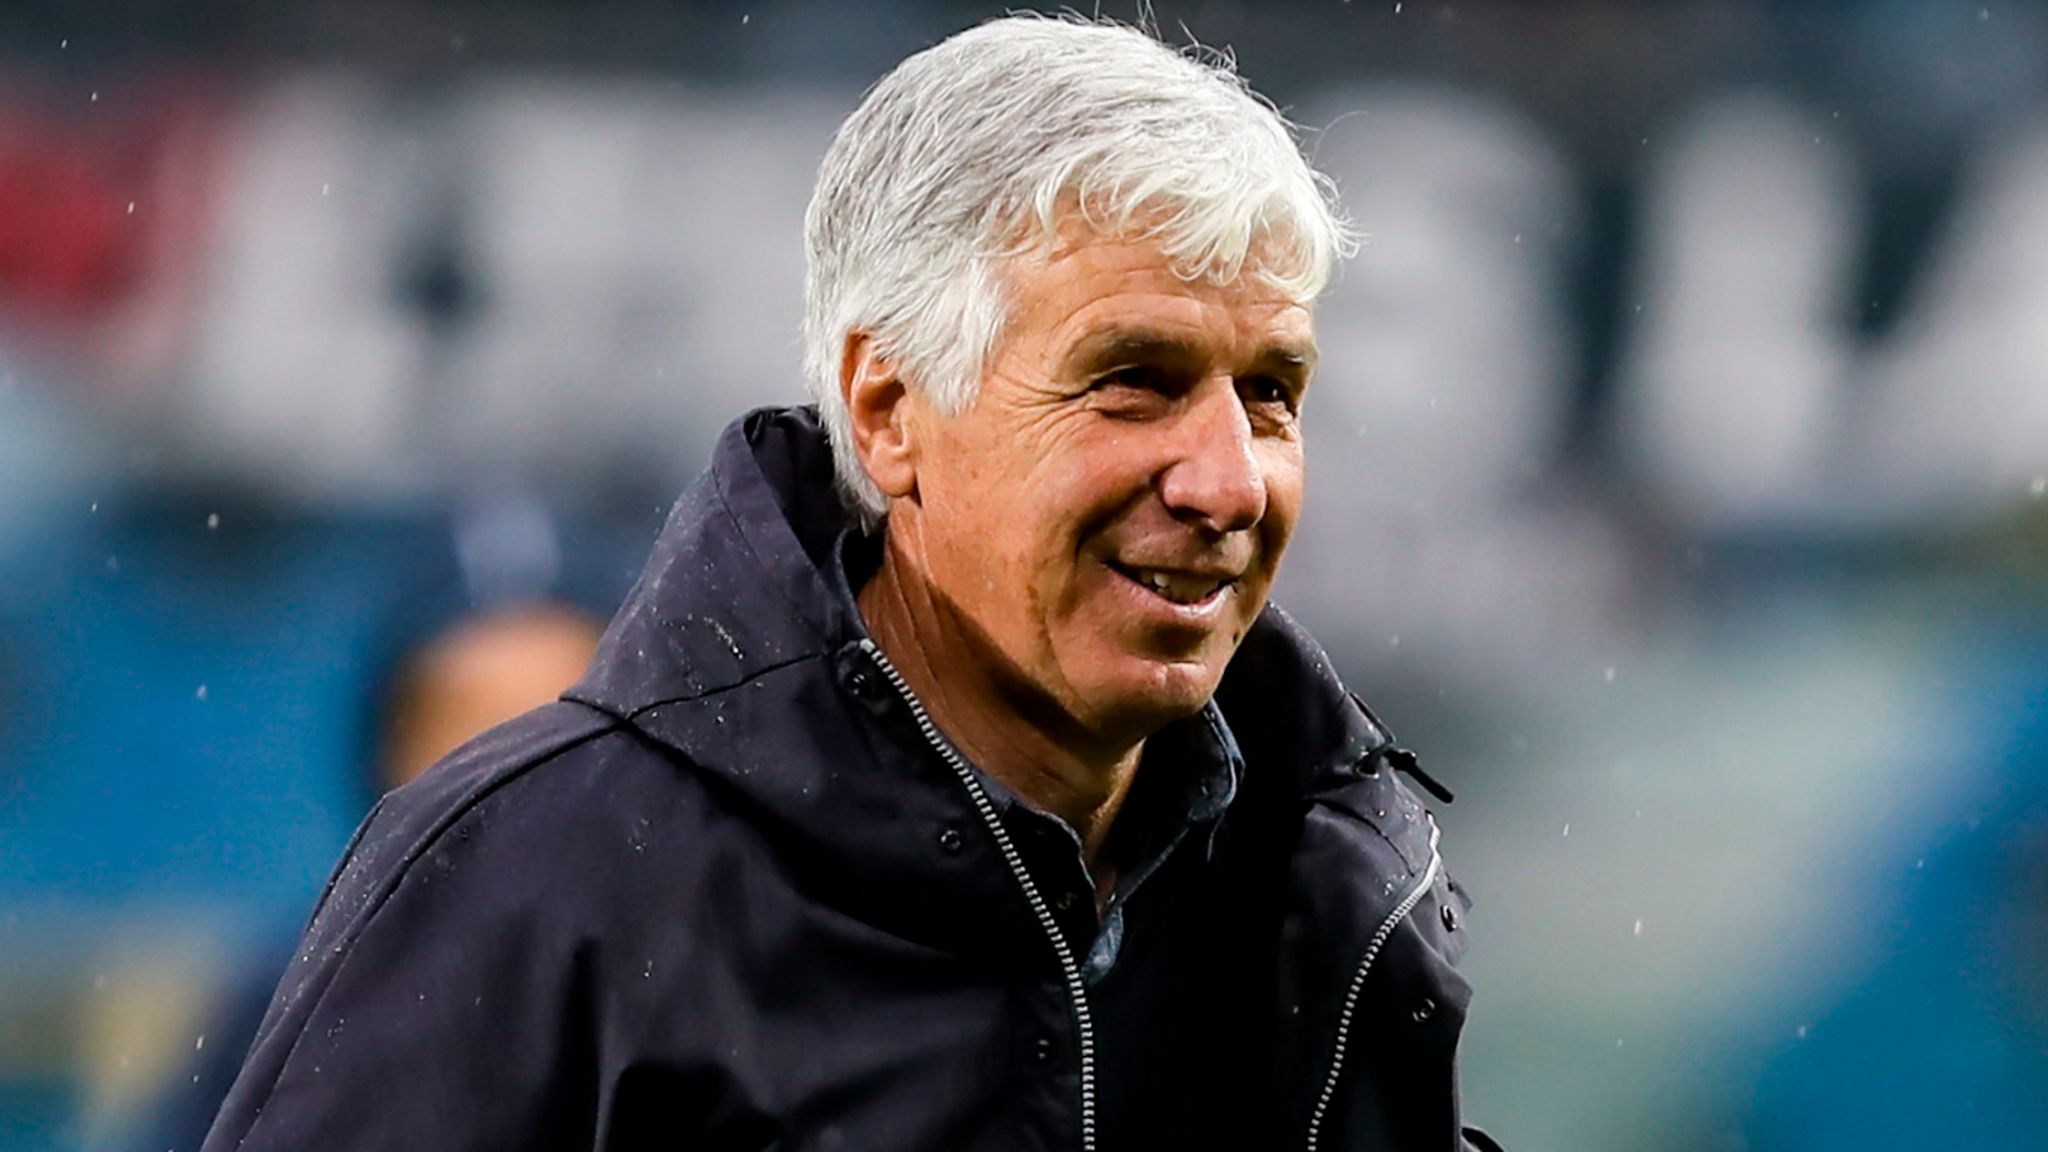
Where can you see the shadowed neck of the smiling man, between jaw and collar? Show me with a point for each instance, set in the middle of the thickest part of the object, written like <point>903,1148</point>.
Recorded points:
<point>1050,764</point>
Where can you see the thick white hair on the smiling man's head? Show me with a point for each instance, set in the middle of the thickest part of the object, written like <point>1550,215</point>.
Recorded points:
<point>970,155</point>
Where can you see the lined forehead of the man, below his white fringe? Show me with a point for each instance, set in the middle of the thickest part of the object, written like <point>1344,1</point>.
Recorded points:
<point>1086,286</point>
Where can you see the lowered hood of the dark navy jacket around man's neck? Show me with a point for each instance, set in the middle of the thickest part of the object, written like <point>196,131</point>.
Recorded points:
<point>736,643</point>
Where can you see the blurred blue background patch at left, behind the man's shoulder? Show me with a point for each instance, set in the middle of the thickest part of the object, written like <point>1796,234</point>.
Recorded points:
<point>187,704</point>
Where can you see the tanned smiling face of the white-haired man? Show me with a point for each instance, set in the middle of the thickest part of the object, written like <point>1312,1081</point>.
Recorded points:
<point>1109,516</point>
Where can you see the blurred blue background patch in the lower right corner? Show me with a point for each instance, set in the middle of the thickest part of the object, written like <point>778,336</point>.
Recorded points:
<point>1943,1038</point>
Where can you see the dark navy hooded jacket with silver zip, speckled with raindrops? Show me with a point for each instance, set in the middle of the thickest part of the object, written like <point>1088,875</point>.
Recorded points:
<point>736,893</point>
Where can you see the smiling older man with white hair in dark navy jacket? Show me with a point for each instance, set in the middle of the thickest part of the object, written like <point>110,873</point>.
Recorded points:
<point>947,782</point>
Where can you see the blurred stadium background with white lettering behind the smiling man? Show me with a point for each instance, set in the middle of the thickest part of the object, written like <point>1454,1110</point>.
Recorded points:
<point>1678,491</point>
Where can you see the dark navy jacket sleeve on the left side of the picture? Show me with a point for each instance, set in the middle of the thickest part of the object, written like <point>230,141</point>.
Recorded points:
<point>437,999</point>
